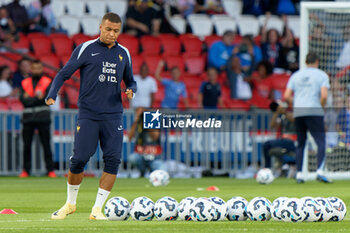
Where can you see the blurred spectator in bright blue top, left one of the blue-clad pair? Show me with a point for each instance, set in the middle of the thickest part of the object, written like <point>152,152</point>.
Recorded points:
<point>220,51</point>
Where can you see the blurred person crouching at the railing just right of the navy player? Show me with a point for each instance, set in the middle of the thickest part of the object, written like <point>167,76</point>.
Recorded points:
<point>148,151</point>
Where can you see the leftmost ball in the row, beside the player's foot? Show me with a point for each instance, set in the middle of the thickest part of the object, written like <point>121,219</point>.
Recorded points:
<point>117,209</point>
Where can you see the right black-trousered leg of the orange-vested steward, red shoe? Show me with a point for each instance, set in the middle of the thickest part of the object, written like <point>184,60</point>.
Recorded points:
<point>45,137</point>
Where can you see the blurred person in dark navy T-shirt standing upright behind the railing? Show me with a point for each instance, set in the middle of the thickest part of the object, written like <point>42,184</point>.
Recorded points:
<point>209,96</point>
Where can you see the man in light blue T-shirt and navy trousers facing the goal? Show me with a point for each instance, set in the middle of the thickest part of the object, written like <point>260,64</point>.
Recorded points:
<point>310,87</point>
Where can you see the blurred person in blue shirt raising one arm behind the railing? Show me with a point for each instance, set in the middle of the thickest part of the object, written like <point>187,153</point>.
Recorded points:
<point>174,88</point>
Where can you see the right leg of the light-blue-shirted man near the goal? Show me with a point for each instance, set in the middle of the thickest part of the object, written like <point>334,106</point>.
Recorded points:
<point>315,124</point>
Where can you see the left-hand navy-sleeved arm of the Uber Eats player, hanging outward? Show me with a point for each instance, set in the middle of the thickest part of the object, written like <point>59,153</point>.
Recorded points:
<point>64,74</point>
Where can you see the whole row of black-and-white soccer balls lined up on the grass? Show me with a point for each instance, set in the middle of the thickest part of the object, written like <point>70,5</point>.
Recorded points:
<point>236,209</point>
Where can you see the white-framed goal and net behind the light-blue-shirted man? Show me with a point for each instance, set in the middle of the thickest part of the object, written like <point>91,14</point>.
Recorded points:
<point>325,29</point>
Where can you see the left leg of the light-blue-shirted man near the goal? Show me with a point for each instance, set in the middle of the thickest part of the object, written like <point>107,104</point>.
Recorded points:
<point>301,130</point>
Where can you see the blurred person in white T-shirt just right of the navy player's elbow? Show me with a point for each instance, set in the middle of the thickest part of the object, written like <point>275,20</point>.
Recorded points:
<point>148,87</point>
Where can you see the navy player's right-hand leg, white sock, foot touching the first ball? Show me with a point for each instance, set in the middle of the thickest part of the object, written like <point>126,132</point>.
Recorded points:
<point>111,141</point>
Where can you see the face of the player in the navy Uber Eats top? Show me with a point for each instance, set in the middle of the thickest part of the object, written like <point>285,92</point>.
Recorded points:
<point>109,32</point>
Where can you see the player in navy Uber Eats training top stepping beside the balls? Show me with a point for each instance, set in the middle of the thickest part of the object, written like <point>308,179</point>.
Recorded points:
<point>103,65</point>
